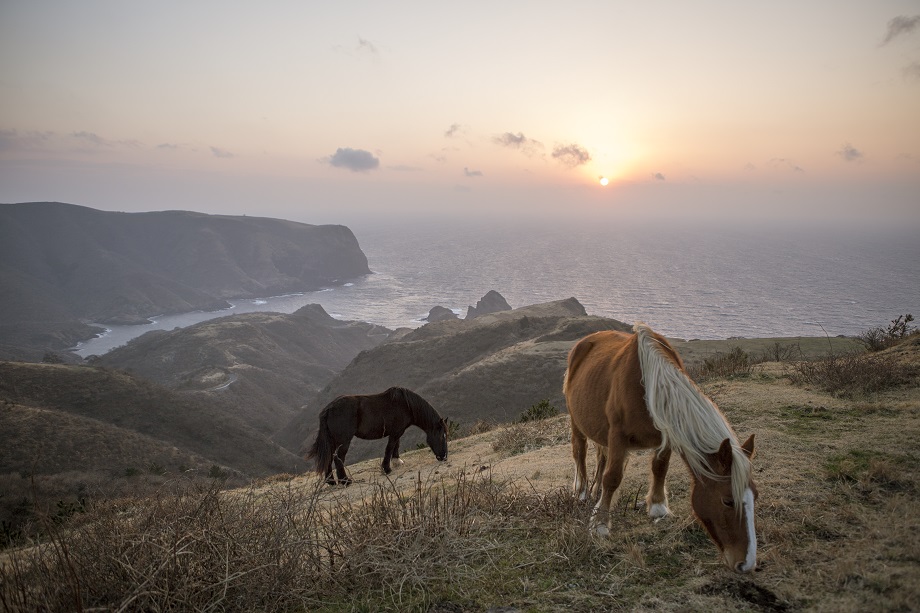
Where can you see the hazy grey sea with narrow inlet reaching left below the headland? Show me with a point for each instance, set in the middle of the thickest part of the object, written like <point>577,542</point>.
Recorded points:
<point>690,281</point>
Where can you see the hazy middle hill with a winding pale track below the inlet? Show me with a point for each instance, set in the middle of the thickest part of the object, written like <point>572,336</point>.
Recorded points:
<point>262,366</point>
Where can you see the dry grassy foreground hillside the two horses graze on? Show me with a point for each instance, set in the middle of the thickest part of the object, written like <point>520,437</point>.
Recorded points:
<point>496,527</point>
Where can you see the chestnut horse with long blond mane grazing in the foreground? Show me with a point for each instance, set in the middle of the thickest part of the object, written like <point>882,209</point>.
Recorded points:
<point>630,391</point>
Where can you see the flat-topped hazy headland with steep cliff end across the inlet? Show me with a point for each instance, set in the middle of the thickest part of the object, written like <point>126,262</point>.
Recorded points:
<point>63,265</point>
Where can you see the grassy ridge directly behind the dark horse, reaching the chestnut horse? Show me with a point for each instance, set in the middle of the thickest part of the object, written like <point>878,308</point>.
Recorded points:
<point>490,368</point>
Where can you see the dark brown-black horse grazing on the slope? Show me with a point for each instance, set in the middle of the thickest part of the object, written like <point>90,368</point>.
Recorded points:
<point>373,416</point>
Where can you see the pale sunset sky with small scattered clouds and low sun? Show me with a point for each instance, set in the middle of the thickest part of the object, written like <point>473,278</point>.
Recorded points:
<point>337,111</point>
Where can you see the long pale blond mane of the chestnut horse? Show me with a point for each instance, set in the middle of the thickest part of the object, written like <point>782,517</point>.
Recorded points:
<point>689,422</point>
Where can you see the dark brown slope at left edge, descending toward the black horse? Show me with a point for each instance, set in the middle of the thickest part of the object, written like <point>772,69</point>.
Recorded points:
<point>68,429</point>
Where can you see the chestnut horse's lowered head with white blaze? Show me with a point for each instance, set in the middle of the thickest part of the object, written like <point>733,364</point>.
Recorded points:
<point>728,520</point>
